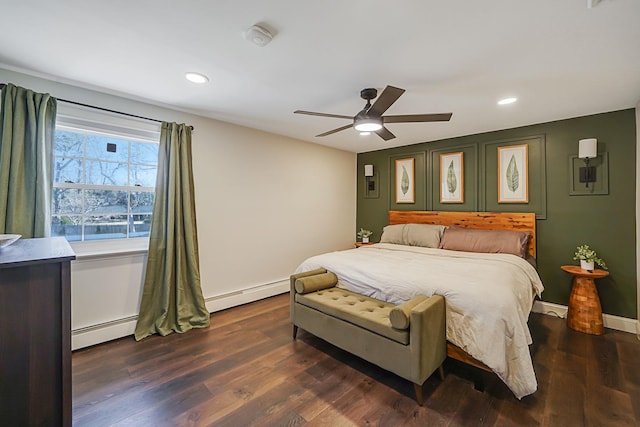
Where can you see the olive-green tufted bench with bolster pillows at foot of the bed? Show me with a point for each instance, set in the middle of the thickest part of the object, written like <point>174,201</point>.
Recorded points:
<point>408,339</point>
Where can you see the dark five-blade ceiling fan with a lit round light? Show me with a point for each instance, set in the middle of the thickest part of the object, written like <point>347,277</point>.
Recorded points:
<point>370,118</point>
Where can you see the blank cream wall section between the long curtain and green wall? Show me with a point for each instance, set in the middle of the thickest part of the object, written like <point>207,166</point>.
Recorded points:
<point>270,203</point>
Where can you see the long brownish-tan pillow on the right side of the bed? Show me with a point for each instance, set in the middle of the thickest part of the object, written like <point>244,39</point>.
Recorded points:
<point>487,241</point>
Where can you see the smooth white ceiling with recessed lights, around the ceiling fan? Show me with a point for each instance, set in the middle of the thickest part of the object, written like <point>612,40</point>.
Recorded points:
<point>560,58</point>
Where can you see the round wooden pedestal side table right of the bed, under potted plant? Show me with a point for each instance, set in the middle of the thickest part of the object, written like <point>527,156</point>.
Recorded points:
<point>585,311</point>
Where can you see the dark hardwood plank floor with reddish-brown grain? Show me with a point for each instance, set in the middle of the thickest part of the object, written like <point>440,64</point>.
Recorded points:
<point>246,370</point>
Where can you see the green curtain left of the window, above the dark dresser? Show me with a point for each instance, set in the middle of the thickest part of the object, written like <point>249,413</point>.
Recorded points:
<point>27,125</point>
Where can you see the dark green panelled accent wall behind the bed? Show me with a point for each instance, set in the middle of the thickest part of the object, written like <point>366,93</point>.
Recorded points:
<point>566,218</point>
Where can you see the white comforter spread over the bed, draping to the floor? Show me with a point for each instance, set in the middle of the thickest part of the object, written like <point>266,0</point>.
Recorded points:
<point>488,297</point>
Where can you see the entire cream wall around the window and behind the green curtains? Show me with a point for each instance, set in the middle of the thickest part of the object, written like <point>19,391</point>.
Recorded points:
<point>263,202</point>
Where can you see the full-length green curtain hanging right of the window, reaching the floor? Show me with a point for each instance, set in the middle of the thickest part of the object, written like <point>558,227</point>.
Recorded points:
<point>172,297</point>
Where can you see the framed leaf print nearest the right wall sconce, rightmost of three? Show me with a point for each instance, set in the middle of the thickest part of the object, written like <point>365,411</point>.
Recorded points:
<point>513,174</point>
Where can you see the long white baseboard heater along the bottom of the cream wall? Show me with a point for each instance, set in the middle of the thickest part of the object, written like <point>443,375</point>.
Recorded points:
<point>107,331</point>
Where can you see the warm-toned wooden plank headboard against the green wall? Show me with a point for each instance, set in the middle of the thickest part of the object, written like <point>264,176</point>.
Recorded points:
<point>480,220</point>
